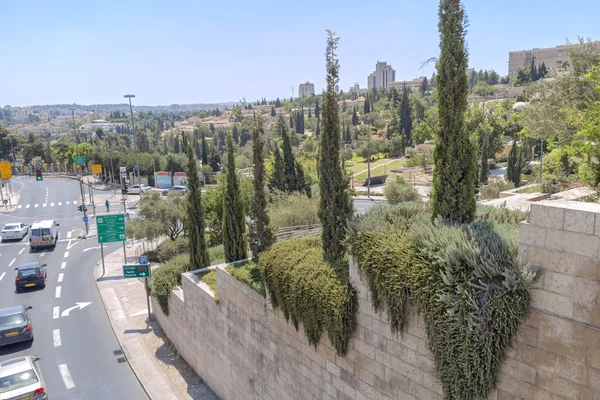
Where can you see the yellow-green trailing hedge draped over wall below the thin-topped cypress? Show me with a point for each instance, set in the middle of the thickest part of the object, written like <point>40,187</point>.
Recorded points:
<point>309,292</point>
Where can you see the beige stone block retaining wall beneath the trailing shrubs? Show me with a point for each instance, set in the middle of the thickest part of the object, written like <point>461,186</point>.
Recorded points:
<point>244,349</point>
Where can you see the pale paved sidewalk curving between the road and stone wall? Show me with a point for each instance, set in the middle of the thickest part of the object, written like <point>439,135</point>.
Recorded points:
<point>156,363</point>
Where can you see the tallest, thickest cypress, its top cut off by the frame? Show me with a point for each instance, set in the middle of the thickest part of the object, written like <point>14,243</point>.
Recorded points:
<point>454,155</point>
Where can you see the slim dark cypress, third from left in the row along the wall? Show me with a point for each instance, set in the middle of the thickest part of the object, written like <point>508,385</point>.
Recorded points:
<point>261,235</point>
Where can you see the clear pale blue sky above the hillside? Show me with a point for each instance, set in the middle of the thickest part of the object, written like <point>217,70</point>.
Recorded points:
<point>186,51</point>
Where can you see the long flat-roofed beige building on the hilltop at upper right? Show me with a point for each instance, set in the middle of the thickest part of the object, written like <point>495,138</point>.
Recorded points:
<point>554,58</point>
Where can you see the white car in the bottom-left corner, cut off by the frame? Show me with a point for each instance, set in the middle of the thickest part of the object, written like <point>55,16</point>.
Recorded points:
<point>21,378</point>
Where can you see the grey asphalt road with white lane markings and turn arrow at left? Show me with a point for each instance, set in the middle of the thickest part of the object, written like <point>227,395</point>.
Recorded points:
<point>80,356</point>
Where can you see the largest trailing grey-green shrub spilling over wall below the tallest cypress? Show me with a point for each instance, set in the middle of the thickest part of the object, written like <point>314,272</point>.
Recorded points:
<point>466,280</point>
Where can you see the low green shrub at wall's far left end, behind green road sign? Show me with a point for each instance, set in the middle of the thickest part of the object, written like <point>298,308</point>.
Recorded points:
<point>166,277</point>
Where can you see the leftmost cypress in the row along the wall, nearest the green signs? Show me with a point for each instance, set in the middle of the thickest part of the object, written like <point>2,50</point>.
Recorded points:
<point>195,215</point>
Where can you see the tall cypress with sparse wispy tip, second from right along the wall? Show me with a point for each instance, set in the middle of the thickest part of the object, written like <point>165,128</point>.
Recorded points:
<point>335,206</point>
